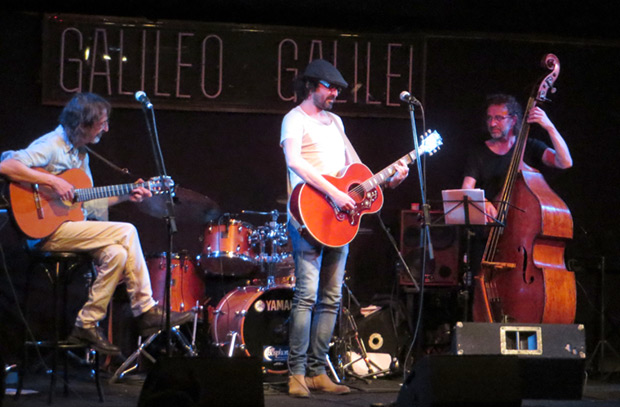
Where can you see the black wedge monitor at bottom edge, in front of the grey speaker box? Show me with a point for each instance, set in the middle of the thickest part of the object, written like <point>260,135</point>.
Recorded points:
<point>462,381</point>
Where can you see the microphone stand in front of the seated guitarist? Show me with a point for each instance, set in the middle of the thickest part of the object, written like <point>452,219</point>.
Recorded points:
<point>170,220</point>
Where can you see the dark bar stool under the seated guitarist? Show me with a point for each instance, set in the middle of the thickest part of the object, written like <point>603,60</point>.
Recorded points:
<point>59,267</point>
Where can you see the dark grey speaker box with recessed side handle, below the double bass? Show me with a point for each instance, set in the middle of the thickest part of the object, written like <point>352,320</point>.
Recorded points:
<point>551,356</point>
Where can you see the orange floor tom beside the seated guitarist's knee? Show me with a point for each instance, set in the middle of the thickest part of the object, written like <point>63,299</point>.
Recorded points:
<point>186,286</point>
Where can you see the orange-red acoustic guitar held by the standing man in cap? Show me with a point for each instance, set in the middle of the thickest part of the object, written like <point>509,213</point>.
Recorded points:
<point>322,218</point>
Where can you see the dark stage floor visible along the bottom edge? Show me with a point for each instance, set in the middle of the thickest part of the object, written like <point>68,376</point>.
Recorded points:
<point>366,393</point>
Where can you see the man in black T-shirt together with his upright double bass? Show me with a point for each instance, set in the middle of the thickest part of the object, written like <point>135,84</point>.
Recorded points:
<point>523,276</point>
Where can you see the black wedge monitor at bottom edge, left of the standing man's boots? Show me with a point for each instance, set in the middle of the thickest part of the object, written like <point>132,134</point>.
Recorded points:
<point>204,382</point>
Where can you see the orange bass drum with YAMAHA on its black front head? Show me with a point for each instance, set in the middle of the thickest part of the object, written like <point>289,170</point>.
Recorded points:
<point>257,319</point>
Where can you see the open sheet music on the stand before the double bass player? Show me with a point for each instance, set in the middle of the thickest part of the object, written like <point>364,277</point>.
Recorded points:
<point>454,209</point>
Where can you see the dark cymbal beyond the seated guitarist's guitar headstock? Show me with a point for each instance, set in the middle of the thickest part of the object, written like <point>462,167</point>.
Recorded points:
<point>189,206</point>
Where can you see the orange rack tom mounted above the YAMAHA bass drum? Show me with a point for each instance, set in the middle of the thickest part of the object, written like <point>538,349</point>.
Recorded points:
<point>227,249</point>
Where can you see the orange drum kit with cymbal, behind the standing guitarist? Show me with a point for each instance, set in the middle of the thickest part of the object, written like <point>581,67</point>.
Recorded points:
<point>252,318</point>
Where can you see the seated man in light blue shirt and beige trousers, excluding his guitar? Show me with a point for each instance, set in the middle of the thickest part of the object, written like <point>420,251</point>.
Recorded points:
<point>115,246</point>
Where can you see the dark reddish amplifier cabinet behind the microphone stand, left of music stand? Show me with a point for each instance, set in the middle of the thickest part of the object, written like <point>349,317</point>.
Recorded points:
<point>444,269</point>
